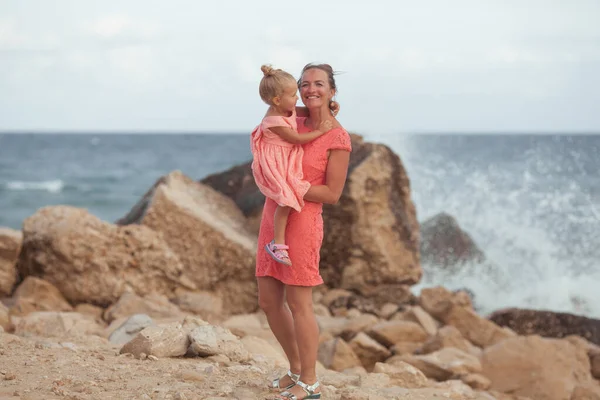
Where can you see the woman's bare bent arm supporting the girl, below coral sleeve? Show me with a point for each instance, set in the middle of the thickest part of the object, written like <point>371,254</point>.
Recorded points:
<point>335,178</point>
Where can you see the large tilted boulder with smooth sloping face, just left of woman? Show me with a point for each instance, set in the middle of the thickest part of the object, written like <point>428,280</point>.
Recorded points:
<point>208,233</point>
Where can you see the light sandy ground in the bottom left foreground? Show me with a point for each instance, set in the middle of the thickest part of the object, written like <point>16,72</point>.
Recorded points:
<point>91,368</point>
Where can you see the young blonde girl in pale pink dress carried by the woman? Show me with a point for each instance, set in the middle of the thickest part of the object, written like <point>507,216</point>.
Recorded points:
<point>277,154</point>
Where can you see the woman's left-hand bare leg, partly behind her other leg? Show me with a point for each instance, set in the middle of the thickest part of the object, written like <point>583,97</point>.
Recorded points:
<point>271,299</point>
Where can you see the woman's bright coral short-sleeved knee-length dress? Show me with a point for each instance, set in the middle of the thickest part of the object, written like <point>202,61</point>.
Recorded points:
<point>304,232</point>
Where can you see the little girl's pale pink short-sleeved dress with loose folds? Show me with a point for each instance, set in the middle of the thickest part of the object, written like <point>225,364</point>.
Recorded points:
<point>277,164</point>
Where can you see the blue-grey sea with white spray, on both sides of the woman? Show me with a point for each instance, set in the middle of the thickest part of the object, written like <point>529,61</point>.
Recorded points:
<point>531,202</point>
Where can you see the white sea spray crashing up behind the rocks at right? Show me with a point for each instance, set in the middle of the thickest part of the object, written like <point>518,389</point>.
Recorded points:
<point>523,227</point>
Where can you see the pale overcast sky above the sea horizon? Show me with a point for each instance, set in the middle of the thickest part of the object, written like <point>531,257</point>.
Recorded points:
<point>406,65</point>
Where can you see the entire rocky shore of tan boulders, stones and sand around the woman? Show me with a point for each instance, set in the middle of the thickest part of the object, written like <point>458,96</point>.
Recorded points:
<point>162,303</point>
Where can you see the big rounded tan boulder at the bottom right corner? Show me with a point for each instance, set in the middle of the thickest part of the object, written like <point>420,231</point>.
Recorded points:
<point>544,369</point>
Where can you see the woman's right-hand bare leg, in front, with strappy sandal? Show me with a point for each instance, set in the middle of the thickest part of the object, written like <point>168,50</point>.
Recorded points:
<point>299,299</point>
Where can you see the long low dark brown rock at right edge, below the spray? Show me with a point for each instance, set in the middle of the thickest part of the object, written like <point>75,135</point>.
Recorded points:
<point>548,323</point>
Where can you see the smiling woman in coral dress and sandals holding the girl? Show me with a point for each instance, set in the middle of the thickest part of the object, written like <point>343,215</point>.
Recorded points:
<point>325,165</point>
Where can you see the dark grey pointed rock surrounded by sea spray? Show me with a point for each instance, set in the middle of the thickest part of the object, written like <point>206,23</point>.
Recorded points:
<point>445,244</point>
